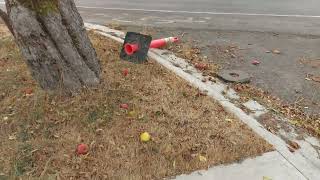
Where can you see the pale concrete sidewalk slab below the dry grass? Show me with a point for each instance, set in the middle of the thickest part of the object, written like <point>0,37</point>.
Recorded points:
<point>270,166</point>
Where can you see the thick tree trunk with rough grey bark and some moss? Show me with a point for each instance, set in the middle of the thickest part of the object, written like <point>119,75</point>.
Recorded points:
<point>54,42</point>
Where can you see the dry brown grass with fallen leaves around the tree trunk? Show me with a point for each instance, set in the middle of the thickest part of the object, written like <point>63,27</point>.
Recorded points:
<point>39,131</point>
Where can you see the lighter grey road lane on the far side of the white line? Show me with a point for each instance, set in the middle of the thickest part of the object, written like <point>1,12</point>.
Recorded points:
<point>287,7</point>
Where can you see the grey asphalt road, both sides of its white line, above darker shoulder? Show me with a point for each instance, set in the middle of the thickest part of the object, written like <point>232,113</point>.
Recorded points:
<point>283,16</point>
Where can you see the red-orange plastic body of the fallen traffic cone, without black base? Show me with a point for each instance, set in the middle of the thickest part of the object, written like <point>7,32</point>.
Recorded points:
<point>132,48</point>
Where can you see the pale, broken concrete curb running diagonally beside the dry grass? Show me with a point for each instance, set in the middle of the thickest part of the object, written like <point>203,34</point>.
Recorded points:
<point>308,167</point>
